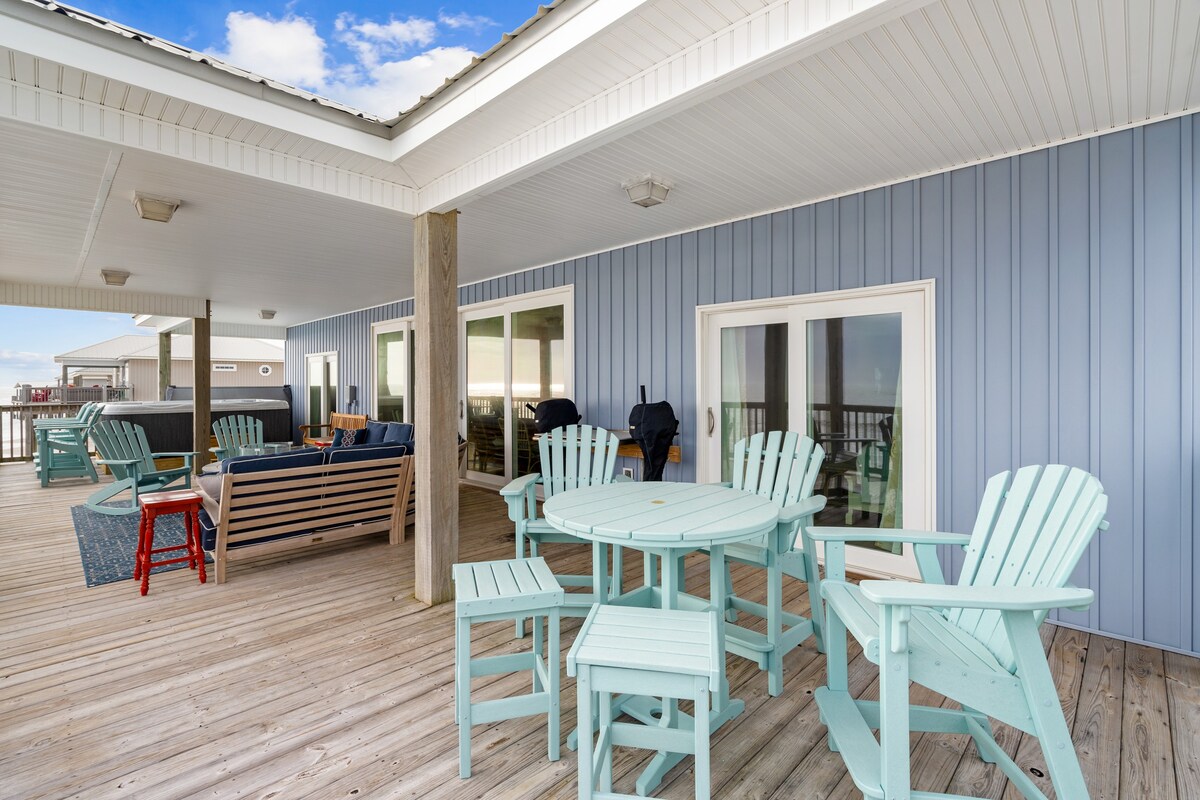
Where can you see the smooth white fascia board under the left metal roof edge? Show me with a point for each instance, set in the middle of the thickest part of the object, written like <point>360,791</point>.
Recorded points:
<point>76,51</point>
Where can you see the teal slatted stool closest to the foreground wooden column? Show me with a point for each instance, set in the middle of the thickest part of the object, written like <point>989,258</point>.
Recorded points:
<point>507,591</point>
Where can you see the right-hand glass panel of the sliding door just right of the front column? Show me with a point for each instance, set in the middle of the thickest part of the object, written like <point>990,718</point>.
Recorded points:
<point>539,372</point>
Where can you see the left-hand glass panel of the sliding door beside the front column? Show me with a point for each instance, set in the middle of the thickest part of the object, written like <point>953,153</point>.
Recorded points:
<point>487,393</point>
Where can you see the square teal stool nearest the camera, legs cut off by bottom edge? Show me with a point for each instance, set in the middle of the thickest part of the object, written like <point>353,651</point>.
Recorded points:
<point>669,654</point>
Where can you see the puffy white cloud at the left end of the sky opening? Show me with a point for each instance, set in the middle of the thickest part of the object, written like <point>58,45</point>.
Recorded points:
<point>287,50</point>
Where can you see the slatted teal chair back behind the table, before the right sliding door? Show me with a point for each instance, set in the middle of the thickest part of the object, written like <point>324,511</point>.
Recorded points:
<point>781,466</point>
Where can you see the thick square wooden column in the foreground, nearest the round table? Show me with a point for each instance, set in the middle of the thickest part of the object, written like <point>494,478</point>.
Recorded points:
<point>436,394</point>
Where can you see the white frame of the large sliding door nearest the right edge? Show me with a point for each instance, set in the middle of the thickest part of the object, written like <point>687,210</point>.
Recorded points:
<point>921,412</point>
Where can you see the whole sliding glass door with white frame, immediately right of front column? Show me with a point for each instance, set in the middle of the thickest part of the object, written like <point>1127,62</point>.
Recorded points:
<point>515,354</point>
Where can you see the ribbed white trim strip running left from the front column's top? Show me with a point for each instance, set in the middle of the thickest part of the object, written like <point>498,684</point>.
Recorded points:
<point>51,110</point>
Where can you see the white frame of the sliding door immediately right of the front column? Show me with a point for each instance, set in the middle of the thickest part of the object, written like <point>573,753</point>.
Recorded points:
<point>506,308</point>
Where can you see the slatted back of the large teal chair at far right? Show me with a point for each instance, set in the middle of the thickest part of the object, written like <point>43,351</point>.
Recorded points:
<point>1031,532</point>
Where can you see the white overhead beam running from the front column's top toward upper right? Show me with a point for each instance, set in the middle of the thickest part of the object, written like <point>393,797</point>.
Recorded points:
<point>760,44</point>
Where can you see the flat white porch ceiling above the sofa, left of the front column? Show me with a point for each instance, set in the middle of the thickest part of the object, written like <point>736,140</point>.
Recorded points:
<point>244,243</point>
